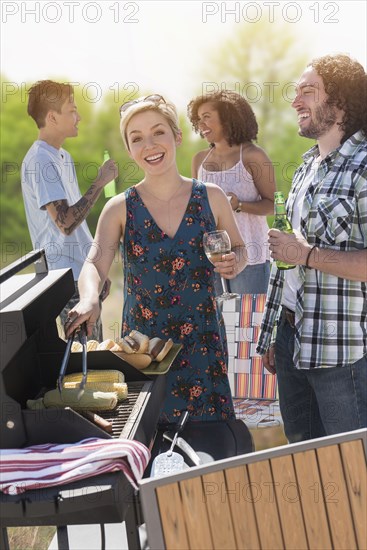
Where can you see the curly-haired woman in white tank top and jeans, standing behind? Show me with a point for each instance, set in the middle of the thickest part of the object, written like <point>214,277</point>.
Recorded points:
<point>243,171</point>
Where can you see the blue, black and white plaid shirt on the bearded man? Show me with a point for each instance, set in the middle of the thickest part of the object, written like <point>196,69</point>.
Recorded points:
<point>331,312</point>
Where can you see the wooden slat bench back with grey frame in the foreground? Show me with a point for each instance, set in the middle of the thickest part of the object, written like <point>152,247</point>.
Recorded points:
<point>304,495</point>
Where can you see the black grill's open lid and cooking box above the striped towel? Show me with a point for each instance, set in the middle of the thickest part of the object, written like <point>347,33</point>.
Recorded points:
<point>32,356</point>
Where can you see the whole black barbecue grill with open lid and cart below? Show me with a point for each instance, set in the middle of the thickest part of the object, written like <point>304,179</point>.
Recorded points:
<point>31,355</point>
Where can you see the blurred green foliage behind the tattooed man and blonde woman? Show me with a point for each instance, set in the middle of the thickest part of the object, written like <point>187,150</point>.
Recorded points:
<point>98,130</point>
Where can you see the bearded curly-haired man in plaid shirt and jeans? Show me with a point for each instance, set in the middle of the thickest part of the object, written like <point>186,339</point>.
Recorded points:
<point>320,307</point>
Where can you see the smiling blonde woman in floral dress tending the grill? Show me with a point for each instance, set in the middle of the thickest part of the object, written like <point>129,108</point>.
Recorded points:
<point>168,281</point>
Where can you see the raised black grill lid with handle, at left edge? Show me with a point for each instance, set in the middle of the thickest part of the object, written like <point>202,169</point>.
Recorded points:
<point>29,306</point>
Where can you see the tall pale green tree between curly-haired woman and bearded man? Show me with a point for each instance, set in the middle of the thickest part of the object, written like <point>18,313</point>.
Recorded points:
<point>263,62</point>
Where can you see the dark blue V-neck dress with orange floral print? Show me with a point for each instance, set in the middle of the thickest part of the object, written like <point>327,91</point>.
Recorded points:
<point>169,293</point>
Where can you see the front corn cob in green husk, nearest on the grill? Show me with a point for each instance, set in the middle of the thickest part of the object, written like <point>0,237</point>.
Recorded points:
<point>90,400</point>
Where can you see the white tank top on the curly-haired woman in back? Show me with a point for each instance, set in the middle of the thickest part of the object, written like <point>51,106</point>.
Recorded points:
<point>253,228</point>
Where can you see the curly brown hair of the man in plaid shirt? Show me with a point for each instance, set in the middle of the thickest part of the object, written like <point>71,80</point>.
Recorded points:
<point>345,82</point>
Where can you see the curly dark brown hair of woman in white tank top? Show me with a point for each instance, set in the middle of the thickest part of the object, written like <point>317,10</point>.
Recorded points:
<point>235,114</point>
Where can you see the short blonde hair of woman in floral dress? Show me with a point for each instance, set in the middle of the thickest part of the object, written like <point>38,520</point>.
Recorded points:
<point>167,110</point>
